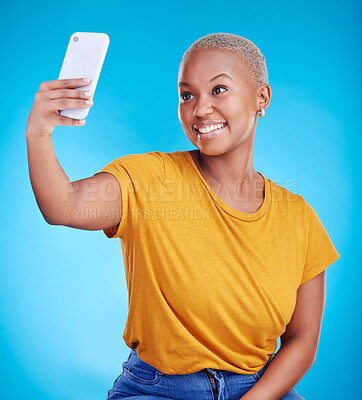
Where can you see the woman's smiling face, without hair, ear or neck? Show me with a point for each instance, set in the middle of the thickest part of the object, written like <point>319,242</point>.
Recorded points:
<point>208,98</point>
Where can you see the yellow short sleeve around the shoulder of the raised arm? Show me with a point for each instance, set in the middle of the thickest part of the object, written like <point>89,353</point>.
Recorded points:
<point>134,172</point>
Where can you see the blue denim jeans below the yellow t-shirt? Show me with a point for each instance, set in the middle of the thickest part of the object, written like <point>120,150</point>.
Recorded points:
<point>141,381</point>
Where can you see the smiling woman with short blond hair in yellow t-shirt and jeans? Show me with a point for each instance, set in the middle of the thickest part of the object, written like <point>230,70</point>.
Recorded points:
<point>220,261</point>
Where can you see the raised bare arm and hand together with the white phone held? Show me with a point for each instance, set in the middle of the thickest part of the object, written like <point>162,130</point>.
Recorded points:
<point>65,102</point>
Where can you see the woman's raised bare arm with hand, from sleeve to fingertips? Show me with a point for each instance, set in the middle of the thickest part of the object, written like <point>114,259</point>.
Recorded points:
<point>93,203</point>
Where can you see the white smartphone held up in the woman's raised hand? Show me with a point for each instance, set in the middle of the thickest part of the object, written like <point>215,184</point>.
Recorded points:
<point>84,59</point>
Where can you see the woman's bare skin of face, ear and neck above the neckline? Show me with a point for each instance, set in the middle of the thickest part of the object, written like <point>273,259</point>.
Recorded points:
<point>227,158</point>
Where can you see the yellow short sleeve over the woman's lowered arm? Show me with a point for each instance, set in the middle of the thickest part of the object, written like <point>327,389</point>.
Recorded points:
<point>320,250</point>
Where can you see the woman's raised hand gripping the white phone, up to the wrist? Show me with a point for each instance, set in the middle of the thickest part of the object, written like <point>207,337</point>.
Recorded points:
<point>53,96</point>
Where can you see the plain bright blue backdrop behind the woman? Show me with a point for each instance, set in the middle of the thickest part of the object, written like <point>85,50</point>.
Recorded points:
<point>63,298</point>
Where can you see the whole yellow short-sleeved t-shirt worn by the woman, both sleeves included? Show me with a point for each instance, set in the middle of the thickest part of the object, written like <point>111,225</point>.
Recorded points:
<point>209,285</point>
